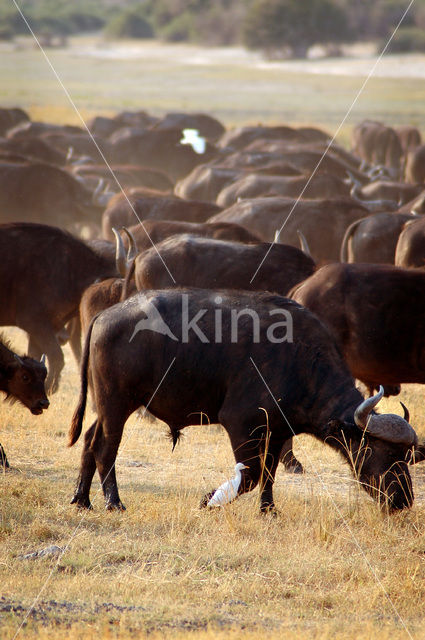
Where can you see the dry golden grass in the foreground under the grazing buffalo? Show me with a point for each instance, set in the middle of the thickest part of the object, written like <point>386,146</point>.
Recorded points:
<point>329,565</point>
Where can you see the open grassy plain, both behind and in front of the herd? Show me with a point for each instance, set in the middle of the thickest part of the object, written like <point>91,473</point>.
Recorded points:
<point>330,564</point>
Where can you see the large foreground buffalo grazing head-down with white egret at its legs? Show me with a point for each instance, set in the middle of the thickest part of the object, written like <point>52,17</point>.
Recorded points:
<point>187,353</point>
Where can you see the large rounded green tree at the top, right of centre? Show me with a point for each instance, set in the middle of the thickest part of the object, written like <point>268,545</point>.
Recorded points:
<point>282,27</point>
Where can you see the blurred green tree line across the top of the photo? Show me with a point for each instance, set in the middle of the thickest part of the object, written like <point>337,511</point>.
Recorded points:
<point>278,28</point>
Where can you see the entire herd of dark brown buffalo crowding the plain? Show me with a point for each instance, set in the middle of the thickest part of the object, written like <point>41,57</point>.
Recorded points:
<point>259,273</point>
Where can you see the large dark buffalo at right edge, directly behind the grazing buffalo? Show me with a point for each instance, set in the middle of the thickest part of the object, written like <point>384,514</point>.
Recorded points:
<point>377,315</point>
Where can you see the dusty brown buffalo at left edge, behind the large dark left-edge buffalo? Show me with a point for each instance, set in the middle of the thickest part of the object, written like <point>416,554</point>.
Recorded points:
<point>38,192</point>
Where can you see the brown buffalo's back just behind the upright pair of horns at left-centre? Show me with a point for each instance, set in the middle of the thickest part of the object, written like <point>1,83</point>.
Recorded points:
<point>125,210</point>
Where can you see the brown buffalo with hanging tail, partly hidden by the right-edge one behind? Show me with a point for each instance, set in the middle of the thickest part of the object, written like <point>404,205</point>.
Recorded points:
<point>374,238</point>
